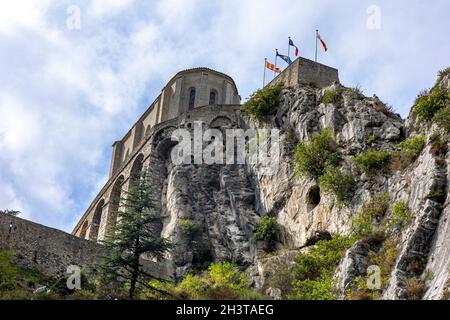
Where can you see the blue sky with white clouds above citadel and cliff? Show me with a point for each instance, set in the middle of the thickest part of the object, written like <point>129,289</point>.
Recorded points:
<point>75,75</point>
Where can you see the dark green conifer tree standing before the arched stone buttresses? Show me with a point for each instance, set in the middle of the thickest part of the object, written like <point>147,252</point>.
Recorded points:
<point>135,234</point>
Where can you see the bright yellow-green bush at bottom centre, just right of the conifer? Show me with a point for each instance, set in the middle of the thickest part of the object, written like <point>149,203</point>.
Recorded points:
<point>222,281</point>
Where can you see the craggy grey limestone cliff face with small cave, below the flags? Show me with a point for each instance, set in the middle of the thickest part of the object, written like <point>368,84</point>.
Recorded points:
<point>212,209</point>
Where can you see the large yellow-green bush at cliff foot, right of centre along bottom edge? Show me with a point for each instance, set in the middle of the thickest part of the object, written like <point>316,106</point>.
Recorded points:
<point>314,269</point>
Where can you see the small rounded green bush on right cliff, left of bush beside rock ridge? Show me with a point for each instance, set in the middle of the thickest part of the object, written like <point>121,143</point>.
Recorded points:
<point>372,162</point>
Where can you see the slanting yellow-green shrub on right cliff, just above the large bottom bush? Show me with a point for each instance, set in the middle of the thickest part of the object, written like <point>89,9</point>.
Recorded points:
<point>366,223</point>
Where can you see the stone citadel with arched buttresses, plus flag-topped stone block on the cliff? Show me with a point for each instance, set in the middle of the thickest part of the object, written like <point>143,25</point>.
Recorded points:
<point>193,94</point>
